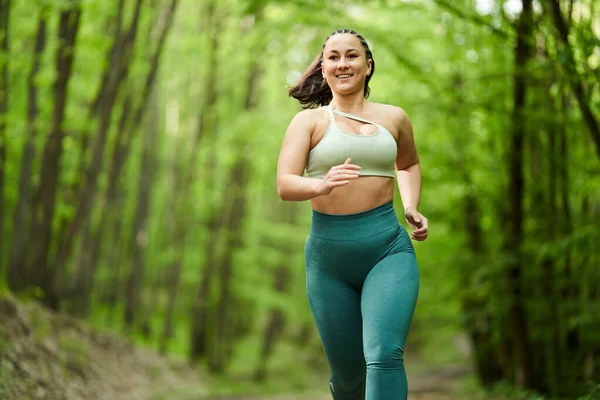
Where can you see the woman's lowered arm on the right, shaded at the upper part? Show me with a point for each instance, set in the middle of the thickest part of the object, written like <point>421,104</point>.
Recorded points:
<point>408,171</point>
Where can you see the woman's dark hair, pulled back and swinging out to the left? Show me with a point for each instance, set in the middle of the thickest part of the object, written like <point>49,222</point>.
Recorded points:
<point>311,90</point>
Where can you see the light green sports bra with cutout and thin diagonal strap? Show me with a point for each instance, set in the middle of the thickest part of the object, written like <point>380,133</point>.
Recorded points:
<point>374,153</point>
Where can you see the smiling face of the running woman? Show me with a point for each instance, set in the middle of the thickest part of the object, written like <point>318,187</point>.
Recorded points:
<point>345,65</point>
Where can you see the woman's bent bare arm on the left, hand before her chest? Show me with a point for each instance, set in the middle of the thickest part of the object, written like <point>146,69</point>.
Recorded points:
<point>291,185</point>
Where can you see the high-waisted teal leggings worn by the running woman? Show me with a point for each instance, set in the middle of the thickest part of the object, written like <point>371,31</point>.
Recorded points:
<point>362,282</point>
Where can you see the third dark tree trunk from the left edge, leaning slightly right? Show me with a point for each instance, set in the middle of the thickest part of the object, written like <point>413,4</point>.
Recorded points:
<point>40,236</point>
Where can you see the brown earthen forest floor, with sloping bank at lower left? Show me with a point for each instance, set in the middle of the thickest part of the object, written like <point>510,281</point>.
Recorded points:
<point>44,355</point>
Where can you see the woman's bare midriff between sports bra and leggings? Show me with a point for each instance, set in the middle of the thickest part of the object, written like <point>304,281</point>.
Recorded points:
<point>361,194</point>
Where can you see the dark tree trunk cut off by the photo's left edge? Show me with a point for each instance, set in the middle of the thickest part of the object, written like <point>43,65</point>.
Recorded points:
<point>4,33</point>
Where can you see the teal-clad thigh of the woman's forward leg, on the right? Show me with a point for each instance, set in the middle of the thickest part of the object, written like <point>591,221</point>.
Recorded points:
<point>389,297</point>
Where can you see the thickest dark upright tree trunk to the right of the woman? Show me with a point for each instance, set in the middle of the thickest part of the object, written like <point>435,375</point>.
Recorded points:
<point>513,238</point>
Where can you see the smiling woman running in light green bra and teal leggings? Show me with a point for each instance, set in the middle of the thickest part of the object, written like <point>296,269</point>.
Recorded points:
<point>342,153</point>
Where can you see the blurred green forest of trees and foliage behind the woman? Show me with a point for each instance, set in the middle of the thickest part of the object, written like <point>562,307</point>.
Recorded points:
<point>138,150</point>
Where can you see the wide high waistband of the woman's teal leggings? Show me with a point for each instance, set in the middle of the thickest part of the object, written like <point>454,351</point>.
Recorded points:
<point>356,225</point>
